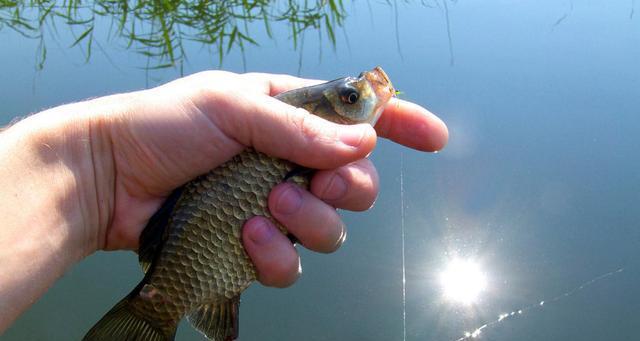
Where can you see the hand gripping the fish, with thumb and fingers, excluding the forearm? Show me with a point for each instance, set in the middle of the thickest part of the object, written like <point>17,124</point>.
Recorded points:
<point>196,123</point>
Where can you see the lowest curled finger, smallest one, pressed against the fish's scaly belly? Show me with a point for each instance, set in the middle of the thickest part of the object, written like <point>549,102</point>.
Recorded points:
<point>276,260</point>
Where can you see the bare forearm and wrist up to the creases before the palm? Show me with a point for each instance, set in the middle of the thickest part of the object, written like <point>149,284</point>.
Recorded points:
<point>57,196</point>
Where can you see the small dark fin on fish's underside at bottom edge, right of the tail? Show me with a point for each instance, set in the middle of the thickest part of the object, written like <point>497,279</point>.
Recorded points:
<point>217,322</point>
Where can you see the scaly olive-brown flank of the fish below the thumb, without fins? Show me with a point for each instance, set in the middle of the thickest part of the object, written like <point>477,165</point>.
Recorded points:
<point>225,198</point>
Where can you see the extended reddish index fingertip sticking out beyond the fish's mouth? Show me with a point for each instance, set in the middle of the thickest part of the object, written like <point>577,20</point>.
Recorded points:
<point>413,126</point>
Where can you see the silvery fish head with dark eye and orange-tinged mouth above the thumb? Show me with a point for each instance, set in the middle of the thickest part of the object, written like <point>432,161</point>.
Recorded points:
<point>358,99</point>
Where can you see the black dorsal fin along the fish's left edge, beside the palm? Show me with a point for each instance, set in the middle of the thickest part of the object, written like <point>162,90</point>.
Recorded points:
<point>152,237</point>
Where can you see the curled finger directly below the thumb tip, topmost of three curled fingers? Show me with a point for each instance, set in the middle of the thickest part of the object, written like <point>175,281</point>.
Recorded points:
<point>352,187</point>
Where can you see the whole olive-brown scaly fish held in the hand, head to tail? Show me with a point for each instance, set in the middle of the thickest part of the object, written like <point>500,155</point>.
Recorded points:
<point>191,249</point>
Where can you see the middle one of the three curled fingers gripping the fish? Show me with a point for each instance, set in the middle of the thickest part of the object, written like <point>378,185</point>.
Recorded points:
<point>315,224</point>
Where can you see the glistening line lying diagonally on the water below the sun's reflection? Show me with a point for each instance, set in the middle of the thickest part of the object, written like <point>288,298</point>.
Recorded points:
<point>537,306</point>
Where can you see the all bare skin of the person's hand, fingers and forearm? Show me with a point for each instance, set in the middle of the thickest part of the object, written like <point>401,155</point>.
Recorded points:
<point>87,176</point>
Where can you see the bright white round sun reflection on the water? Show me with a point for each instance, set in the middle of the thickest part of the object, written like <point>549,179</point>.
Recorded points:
<point>462,281</point>
